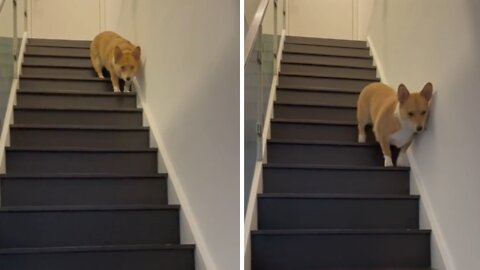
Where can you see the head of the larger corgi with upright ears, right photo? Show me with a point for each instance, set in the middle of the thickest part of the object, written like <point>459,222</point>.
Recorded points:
<point>414,107</point>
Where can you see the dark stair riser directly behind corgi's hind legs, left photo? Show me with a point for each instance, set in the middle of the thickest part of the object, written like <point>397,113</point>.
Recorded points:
<point>33,70</point>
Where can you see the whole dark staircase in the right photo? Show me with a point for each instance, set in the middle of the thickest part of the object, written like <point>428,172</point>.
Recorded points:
<point>328,202</point>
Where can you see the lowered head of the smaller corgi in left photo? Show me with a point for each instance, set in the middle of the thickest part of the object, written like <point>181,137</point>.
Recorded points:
<point>126,63</point>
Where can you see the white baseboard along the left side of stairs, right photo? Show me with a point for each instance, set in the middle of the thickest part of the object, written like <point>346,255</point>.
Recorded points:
<point>250,222</point>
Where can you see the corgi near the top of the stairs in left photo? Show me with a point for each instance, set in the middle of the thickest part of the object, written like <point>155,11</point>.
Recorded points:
<point>120,57</point>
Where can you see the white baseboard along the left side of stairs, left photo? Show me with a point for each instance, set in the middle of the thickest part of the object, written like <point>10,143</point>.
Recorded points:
<point>8,118</point>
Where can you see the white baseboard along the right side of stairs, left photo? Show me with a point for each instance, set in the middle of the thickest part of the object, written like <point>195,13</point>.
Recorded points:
<point>202,252</point>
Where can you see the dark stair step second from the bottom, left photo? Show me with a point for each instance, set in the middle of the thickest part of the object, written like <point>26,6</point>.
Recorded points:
<point>59,226</point>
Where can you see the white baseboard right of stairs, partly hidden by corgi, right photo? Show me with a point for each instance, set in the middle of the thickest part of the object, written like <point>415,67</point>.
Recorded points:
<point>432,221</point>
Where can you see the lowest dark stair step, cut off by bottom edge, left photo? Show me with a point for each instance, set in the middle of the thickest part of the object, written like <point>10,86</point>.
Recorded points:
<point>141,257</point>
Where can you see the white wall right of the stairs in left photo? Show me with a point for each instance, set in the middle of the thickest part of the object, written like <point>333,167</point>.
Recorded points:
<point>191,79</point>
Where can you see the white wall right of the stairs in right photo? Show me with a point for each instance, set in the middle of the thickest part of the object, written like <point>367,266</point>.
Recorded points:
<point>439,41</point>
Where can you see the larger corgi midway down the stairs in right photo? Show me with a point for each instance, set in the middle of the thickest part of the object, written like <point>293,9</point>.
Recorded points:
<point>396,117</point>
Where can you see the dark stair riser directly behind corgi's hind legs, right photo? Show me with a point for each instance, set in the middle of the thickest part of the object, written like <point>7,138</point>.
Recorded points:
<point>316,130</point>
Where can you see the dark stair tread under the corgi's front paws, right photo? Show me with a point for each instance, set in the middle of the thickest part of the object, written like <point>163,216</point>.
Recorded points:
<point>333,167</point>
